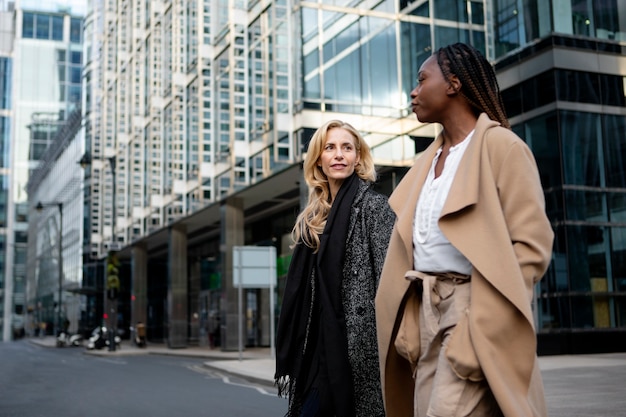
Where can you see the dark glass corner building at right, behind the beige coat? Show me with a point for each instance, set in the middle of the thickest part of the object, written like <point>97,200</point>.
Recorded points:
<point>573,117</point>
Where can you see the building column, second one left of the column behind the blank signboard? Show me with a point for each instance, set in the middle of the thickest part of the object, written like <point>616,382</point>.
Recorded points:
<point>139,290</point>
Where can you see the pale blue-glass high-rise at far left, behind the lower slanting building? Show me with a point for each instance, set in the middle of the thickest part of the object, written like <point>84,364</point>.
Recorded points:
<point>42,61</point>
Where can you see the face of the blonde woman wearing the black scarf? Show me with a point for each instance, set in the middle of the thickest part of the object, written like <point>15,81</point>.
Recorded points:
<point>339,156</point>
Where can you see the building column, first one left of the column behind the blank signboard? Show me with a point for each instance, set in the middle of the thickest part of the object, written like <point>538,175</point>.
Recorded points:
<point>177,288</point>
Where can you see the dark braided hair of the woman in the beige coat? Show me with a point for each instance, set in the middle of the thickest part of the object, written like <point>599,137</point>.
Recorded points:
<point>479,85</point>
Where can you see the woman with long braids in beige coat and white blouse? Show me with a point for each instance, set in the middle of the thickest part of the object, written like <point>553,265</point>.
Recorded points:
<point>453,309</point>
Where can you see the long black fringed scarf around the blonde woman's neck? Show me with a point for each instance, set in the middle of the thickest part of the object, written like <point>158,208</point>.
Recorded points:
<point>330,337</point>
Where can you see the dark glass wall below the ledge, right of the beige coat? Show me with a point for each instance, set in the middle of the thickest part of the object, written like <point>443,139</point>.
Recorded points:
<point>580,159</point>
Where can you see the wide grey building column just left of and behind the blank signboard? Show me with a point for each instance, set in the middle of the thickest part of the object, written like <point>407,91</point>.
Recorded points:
<point>232,234</point>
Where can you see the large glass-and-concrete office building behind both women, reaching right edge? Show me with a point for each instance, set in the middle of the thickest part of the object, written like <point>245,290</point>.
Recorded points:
<point>198,116</point>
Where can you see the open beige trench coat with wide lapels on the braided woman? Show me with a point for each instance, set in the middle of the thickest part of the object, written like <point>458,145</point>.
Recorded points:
<point>495,215</point>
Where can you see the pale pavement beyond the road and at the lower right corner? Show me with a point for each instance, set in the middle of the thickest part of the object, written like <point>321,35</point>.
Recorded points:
<point>575,385</point>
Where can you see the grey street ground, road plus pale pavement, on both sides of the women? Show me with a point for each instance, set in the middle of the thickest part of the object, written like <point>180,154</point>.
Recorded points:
<point>39,380</point>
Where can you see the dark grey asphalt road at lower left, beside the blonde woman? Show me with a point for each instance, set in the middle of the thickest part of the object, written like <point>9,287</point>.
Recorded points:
<point>43,382</point>
